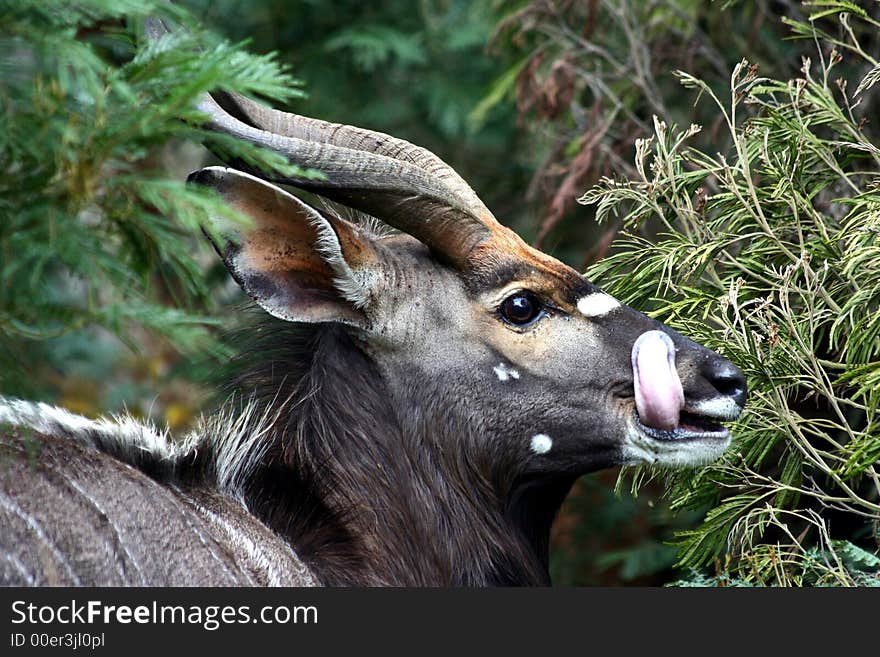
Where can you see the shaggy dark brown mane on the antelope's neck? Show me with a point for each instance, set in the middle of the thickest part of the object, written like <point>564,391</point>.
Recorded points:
<point>321,456</point>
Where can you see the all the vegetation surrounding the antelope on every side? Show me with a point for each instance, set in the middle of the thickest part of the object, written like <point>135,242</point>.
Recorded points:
<point>110,299</point>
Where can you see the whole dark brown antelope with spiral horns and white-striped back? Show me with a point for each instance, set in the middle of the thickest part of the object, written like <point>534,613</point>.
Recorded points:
<point>418,400</point>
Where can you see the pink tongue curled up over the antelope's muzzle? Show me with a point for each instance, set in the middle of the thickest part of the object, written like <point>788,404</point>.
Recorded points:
<point>659,396</point>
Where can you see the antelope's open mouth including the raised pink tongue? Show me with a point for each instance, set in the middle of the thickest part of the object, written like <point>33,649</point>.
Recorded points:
<point>661,412</point>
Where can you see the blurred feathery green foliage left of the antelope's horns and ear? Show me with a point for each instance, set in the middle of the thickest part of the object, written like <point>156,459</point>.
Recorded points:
<point>95,231</point>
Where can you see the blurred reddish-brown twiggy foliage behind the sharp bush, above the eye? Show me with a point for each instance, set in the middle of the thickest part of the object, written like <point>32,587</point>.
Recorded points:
<point>586,78</point>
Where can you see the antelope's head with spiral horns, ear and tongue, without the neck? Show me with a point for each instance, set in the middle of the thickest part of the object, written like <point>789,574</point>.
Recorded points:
<point>534,363</point>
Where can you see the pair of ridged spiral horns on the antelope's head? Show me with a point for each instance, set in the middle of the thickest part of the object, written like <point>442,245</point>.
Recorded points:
<point>408,187</point>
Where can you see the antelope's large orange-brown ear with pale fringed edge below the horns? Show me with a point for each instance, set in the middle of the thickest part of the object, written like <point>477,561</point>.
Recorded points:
<point>297,263</point>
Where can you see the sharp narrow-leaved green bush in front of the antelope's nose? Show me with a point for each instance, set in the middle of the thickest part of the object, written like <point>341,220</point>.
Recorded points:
<point>767,252</point>
